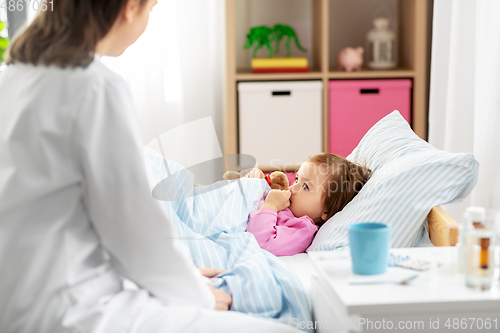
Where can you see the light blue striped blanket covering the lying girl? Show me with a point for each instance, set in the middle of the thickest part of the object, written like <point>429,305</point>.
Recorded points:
<point>211,220</point>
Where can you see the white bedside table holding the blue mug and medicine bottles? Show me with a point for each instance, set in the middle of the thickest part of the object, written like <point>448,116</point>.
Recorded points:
<point>436,300</point>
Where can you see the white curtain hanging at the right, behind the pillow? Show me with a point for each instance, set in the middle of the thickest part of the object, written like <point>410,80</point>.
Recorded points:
<point>464,113</point>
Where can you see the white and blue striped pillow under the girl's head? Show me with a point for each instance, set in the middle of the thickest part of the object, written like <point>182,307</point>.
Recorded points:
<point>409,178</point>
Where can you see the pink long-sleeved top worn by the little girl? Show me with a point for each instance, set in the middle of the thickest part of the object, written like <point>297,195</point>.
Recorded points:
<point>281,233</point>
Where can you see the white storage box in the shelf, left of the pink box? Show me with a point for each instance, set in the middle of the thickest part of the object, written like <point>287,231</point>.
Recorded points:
<point>280,123</point>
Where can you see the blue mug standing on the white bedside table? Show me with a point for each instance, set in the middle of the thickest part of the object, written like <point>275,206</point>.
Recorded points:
<point>370,243</point>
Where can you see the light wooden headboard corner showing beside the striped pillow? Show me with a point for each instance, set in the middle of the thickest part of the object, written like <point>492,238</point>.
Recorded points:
<point>443,230</point>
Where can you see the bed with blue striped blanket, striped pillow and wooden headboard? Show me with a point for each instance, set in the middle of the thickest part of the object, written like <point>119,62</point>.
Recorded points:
<point>410,180</point>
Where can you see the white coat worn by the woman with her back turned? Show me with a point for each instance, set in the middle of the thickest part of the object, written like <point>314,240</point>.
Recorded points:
<point>76,212</point>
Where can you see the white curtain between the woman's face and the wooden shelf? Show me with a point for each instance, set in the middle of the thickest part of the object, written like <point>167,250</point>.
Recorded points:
<point>175,74</point>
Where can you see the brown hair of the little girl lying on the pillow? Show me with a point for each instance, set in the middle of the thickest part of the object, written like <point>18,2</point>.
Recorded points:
<point>343,181</point>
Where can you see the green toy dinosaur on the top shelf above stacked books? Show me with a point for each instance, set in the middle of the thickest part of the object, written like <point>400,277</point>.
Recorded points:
<point>263,36</point>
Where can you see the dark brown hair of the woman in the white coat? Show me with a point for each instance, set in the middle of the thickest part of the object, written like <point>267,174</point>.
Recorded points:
<point>67,35</point>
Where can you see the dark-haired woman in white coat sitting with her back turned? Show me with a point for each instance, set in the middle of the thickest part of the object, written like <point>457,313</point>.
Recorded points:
<point>76,212</point>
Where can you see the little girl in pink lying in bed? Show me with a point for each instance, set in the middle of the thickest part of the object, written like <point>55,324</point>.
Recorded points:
<point>286,222</point>
